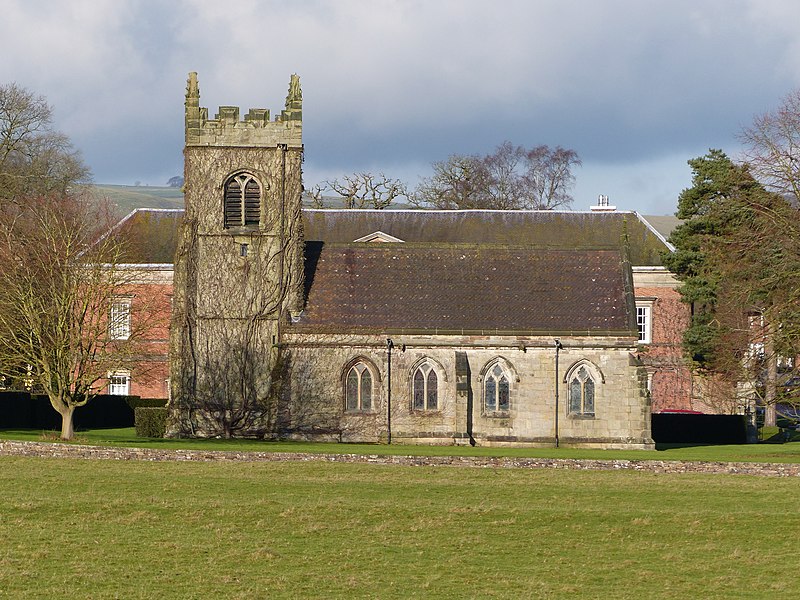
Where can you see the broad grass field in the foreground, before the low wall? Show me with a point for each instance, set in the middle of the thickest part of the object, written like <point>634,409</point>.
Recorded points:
<point>107,529</point>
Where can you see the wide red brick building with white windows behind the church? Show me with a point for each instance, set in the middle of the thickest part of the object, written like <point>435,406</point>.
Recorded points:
<point>661,316</point>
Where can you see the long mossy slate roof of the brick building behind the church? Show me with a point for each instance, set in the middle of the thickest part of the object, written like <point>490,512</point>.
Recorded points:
<point>152,233</point>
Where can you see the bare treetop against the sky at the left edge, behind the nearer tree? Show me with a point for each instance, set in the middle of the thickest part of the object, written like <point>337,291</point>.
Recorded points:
<point>34,159</point>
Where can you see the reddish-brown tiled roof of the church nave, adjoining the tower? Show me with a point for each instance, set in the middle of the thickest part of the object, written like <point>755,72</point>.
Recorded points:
<point>475,290</point>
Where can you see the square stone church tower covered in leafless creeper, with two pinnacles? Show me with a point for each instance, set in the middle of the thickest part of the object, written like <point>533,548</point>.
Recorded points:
<point>238,267</point>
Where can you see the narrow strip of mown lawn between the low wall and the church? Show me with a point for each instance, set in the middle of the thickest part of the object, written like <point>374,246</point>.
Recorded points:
<point>764,452</point>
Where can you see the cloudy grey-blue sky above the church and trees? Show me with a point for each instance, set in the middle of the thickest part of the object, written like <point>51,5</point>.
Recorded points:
<point>635,87</point>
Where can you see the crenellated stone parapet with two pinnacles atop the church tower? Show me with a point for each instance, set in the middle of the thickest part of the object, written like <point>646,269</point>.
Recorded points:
<point>255,130</point>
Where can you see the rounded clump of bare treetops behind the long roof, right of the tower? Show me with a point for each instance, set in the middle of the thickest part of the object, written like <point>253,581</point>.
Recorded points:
<point>512,178</point>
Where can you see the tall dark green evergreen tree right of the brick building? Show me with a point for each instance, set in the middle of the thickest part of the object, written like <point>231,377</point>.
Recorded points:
<point>738,257</point>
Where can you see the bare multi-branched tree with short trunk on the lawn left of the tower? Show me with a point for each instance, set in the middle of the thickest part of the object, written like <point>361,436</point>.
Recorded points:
<point>60,277</point>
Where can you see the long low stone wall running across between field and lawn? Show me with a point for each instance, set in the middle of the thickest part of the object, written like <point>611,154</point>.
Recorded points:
<point>57,450</point>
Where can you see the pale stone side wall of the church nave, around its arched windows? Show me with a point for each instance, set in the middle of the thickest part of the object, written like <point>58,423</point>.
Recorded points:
<point>314,395</point>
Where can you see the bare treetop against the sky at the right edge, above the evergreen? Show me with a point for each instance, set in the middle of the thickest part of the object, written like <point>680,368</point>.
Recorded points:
<point>772,147</point>
